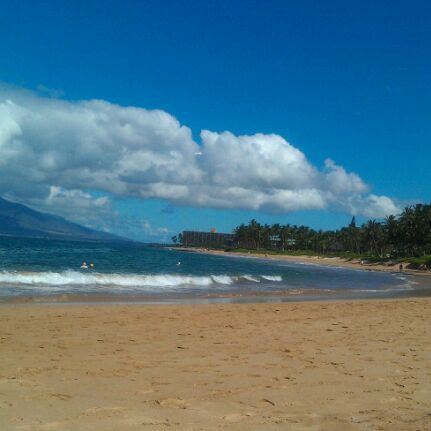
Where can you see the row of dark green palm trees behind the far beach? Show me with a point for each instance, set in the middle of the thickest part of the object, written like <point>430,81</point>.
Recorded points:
<point>406,235</point>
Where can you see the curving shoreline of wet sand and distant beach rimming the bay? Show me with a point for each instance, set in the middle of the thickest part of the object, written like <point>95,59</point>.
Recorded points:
<point>415,284</point>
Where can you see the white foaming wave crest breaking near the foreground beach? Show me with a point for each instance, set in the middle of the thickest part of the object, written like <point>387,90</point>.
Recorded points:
<point>77,278</point>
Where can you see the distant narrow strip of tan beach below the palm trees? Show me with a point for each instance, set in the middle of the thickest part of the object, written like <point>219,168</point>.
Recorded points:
<point>313,260</point>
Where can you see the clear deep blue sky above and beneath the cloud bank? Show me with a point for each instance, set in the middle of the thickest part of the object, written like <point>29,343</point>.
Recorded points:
<point>349,81</point>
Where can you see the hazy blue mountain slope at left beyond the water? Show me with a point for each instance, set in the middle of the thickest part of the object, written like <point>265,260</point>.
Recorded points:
<point>19,220</point>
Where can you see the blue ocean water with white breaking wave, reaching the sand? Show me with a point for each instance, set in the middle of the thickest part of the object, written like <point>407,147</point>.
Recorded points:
<point>45,270</point>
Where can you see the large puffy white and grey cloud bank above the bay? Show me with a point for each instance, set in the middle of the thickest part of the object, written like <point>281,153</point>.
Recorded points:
<point>53,152</point>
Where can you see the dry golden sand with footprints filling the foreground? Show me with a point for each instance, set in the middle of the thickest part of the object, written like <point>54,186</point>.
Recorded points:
<point>359,365</point>
